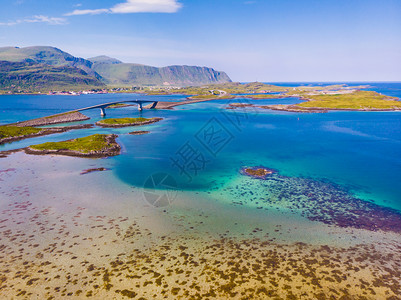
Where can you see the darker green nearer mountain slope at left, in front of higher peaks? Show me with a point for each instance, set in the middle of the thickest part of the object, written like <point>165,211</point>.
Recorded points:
<point>30,77</point>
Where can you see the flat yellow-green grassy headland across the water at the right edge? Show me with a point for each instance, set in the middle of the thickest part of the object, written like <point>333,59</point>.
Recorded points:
<point>356,100</point>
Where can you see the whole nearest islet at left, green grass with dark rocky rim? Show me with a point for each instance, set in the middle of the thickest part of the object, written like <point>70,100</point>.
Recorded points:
<point>93,146</point>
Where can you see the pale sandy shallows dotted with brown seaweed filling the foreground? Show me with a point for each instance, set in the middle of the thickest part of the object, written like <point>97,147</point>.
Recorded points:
<point>65,235</point>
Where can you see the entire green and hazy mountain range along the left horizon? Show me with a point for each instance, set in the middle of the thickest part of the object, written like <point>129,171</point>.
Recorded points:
<point>43,68</point>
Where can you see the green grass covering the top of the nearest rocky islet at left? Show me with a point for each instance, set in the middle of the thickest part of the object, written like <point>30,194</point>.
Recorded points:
<point>87,144</point>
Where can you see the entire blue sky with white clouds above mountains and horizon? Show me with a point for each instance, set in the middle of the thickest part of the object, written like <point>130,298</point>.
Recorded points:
<point>264,40</point>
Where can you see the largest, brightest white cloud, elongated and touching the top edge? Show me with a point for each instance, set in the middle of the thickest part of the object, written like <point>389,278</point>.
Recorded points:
<point>134,6</point>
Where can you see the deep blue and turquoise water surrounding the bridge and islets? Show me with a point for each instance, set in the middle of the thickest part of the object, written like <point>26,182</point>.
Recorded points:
<point>360,151</point>
